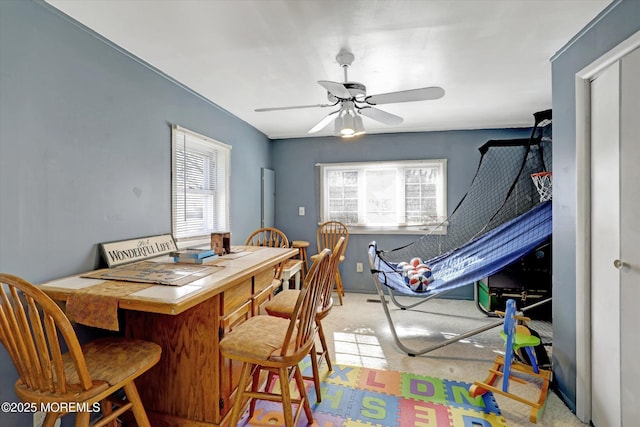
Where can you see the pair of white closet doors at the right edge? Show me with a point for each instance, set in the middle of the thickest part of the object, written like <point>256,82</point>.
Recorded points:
<point>615,242</point>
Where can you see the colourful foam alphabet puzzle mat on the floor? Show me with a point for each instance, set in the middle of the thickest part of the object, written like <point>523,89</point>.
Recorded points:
<point>358,396</point>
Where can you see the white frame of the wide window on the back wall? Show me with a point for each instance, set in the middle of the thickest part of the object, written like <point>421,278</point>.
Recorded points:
<point>437,226</point>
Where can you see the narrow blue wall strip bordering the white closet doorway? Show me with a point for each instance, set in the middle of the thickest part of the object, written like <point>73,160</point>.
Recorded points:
<point>615,24</point>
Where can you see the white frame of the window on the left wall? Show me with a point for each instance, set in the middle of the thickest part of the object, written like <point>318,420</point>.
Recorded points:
<point>203,146</point>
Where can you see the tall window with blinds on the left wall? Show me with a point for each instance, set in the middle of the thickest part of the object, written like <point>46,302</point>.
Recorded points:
<point>200,186</point>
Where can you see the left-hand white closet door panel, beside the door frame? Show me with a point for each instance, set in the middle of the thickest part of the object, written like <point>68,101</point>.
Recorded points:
<point>605,248</point>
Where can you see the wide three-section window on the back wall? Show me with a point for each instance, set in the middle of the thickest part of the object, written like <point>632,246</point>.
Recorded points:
<point>398,196</point>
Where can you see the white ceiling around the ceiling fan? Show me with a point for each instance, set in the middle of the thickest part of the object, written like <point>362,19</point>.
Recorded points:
<point>490,56</point>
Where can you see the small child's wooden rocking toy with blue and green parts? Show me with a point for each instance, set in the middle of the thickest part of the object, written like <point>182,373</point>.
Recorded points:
<point>516,336</point>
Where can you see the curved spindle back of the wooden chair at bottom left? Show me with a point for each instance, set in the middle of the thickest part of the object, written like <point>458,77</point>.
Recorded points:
<point>32,337</point>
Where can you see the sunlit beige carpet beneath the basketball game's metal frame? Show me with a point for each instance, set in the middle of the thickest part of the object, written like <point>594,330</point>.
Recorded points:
<point>358,335</point>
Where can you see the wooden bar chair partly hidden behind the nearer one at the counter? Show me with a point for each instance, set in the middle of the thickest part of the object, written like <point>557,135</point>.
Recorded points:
<point>283,304</point>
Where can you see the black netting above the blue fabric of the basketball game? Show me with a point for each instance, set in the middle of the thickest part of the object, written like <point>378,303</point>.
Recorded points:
<point>501,190</point>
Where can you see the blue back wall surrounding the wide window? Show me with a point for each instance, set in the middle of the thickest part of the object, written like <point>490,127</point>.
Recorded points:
<point>294,160</point>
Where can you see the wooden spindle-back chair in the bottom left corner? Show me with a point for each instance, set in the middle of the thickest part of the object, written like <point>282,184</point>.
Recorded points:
<point>31,325</point>
